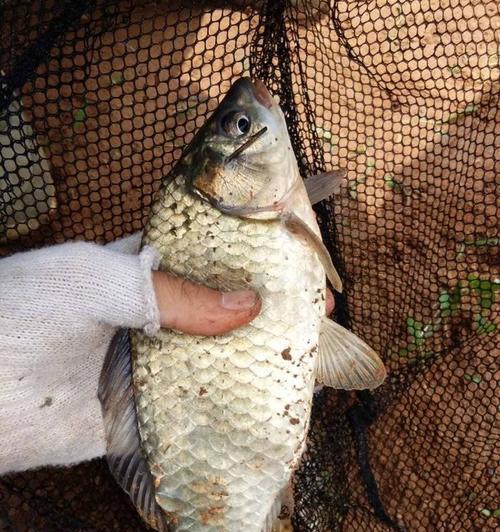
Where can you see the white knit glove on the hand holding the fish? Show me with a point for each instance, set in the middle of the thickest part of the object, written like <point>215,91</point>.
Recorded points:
<point>59,308</point>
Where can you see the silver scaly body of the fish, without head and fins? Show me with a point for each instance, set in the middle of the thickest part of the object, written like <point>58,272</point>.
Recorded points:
<point>223,420</point>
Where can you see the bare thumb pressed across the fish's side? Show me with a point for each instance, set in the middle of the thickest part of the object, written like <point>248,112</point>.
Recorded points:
<point>196,309</point>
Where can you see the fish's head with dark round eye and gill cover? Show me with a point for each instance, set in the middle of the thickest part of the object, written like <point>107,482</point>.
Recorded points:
<point>241,160</point>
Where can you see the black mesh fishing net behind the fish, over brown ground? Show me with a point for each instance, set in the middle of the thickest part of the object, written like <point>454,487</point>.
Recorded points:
<point>97,99</point>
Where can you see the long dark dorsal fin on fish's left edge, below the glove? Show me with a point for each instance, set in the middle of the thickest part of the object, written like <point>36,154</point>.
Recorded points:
<point>124,452</point>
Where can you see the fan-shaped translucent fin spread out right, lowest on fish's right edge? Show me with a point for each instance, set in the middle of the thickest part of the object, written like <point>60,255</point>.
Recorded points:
<point>345,361</point>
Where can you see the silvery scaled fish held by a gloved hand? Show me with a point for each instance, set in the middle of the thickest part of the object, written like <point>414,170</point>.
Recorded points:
<point>205,433</point>
